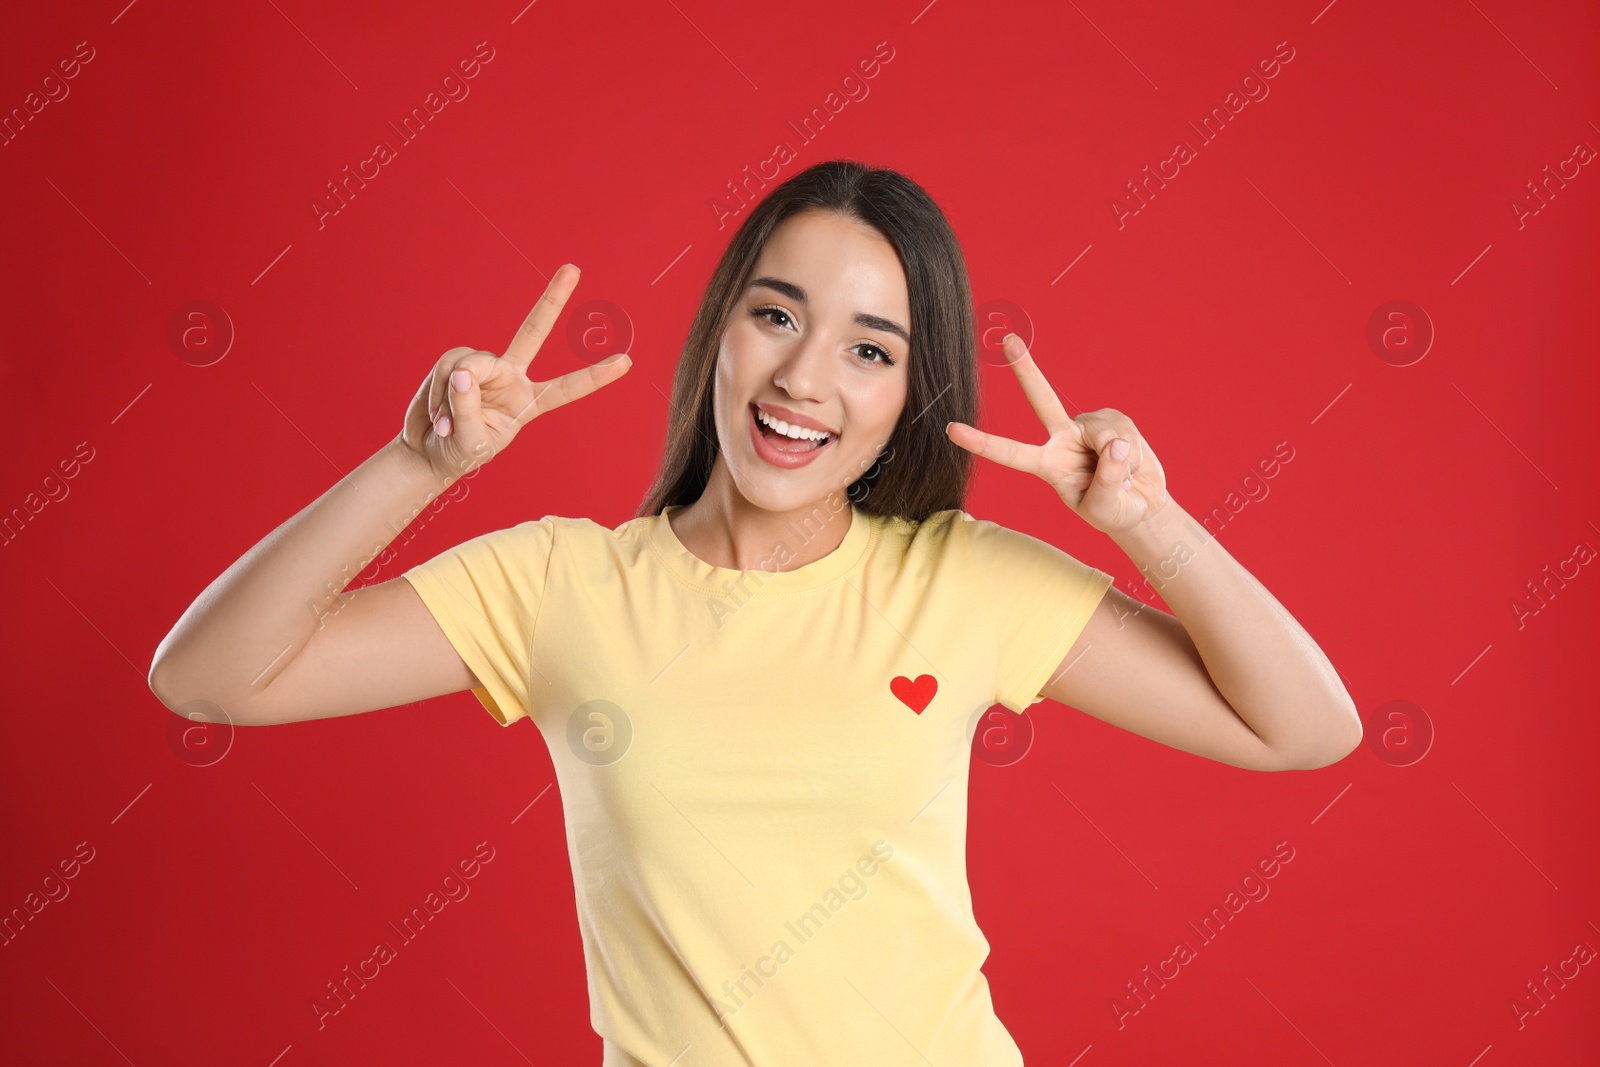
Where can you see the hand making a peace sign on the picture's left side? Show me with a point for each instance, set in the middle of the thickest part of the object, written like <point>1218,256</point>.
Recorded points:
<point>473,404</point>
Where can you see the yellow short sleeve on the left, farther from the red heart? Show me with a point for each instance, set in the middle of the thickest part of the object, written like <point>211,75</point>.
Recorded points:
<point>486,594</point>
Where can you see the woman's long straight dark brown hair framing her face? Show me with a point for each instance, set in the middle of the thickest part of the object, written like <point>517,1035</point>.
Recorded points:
<point>921,471</point>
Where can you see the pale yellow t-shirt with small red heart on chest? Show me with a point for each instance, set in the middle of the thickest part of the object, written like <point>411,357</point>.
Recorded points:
<point>764,775</point>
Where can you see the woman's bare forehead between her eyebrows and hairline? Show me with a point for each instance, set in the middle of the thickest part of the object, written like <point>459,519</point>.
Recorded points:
<point>839,263</point>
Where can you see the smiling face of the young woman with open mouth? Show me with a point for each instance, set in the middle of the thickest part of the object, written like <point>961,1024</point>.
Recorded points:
<point>822,342</point>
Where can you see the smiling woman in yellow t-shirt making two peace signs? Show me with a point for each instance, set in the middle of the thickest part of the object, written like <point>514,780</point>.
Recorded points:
<point>761,693</point>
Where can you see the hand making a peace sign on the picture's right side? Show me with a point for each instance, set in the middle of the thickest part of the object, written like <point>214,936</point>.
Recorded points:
<point>1079,462</point>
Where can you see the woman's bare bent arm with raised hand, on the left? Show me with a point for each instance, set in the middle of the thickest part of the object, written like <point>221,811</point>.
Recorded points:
<point>276,637</point>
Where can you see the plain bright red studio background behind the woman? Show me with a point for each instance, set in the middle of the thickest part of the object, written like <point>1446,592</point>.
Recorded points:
<point>1225,318</point>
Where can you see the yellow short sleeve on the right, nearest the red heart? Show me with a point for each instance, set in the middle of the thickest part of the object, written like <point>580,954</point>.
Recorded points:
<point>1039,601</point>
